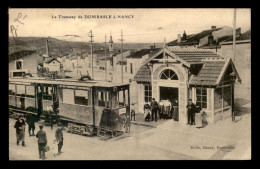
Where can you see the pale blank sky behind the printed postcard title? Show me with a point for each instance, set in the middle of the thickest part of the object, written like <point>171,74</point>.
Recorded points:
<point>138,25</point>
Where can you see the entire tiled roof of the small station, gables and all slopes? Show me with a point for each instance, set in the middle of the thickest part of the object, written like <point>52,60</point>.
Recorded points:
<point>212,69</point>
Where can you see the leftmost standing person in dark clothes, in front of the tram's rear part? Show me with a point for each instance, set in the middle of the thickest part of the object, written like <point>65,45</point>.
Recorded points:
<point>20,130</point>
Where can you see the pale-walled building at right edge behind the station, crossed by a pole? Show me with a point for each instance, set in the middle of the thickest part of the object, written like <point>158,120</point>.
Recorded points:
<point>242,62</point>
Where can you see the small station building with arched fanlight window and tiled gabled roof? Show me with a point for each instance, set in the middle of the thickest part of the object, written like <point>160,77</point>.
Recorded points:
<point>179,74</point>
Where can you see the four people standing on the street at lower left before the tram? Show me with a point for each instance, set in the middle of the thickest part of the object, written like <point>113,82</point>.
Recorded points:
<point>20,126</point>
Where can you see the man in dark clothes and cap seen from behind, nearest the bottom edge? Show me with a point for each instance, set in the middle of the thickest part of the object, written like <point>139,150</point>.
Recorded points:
<point>42,142</point>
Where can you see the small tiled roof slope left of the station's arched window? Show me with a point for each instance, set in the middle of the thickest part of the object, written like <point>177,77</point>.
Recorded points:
<point>143,74</point>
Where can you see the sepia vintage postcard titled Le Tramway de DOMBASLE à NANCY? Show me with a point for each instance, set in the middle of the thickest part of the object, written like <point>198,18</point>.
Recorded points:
<point>129,84</point>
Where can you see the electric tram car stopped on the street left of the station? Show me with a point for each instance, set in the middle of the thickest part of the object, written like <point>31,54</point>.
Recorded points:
<point>86,107</point>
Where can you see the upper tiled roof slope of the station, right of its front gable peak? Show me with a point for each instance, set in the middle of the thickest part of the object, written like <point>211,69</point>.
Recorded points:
<point>193,55</point>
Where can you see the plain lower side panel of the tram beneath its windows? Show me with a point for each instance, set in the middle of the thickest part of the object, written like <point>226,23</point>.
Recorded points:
<point>81,113</point>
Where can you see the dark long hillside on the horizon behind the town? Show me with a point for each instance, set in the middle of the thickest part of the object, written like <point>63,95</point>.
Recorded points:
<point>61,47</point>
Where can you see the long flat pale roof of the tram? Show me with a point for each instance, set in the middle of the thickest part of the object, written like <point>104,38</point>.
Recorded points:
<point>68,82</point>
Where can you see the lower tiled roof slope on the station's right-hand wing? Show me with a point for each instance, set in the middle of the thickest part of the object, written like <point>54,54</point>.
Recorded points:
<point>209,73</point>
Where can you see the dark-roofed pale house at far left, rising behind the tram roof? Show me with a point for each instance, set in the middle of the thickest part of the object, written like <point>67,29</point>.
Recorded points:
<point>22,62</point>
